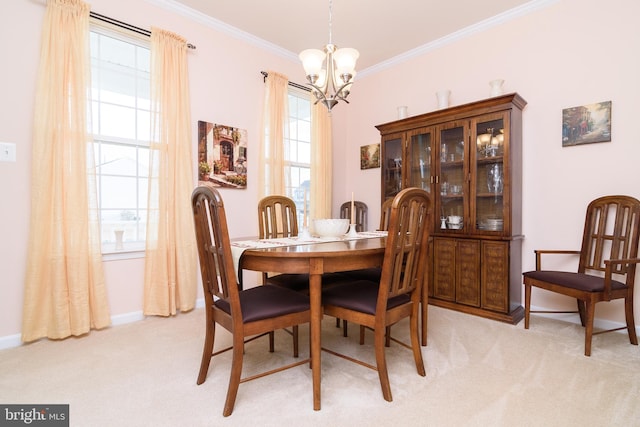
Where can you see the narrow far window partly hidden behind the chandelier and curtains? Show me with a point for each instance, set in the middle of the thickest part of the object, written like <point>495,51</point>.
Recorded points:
<point>297,150</point>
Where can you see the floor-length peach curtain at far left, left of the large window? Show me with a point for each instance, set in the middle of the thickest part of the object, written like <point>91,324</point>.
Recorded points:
<point>64,287</point>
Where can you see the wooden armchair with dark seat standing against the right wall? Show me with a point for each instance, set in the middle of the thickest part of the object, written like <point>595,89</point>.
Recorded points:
<point>606,265</point>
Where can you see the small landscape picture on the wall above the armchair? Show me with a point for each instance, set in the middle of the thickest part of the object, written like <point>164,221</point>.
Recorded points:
<point>586,124</point>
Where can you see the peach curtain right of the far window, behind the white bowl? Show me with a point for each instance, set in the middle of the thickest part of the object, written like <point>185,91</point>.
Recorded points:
<point>321,161</point>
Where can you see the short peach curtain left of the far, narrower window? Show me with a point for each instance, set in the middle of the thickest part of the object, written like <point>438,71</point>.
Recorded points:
<point>275,125</point>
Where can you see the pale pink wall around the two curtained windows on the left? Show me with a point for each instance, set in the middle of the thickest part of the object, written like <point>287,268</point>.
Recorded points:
<point>226,87</point>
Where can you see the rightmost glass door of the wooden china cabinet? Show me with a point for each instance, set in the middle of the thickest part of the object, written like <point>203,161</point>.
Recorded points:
<point>490,172</point>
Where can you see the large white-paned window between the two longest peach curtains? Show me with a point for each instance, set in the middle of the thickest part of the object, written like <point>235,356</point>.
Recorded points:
<point>120,104</point>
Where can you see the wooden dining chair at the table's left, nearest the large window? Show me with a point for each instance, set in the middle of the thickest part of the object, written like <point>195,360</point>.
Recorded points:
<point>244,313</point>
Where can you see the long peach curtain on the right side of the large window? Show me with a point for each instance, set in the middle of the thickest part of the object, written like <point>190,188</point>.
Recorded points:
<point>171,267</point>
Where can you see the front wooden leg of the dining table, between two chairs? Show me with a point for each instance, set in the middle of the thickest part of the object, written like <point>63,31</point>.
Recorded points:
<point>315,289</point>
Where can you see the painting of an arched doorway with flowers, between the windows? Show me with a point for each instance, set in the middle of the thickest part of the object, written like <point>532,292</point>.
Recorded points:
<point>222,155</point>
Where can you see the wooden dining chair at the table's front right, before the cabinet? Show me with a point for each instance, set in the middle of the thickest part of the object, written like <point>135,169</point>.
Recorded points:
<point>398,293</point>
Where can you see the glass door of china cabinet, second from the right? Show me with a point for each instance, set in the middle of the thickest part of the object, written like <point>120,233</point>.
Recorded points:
<point>451,183</point>
